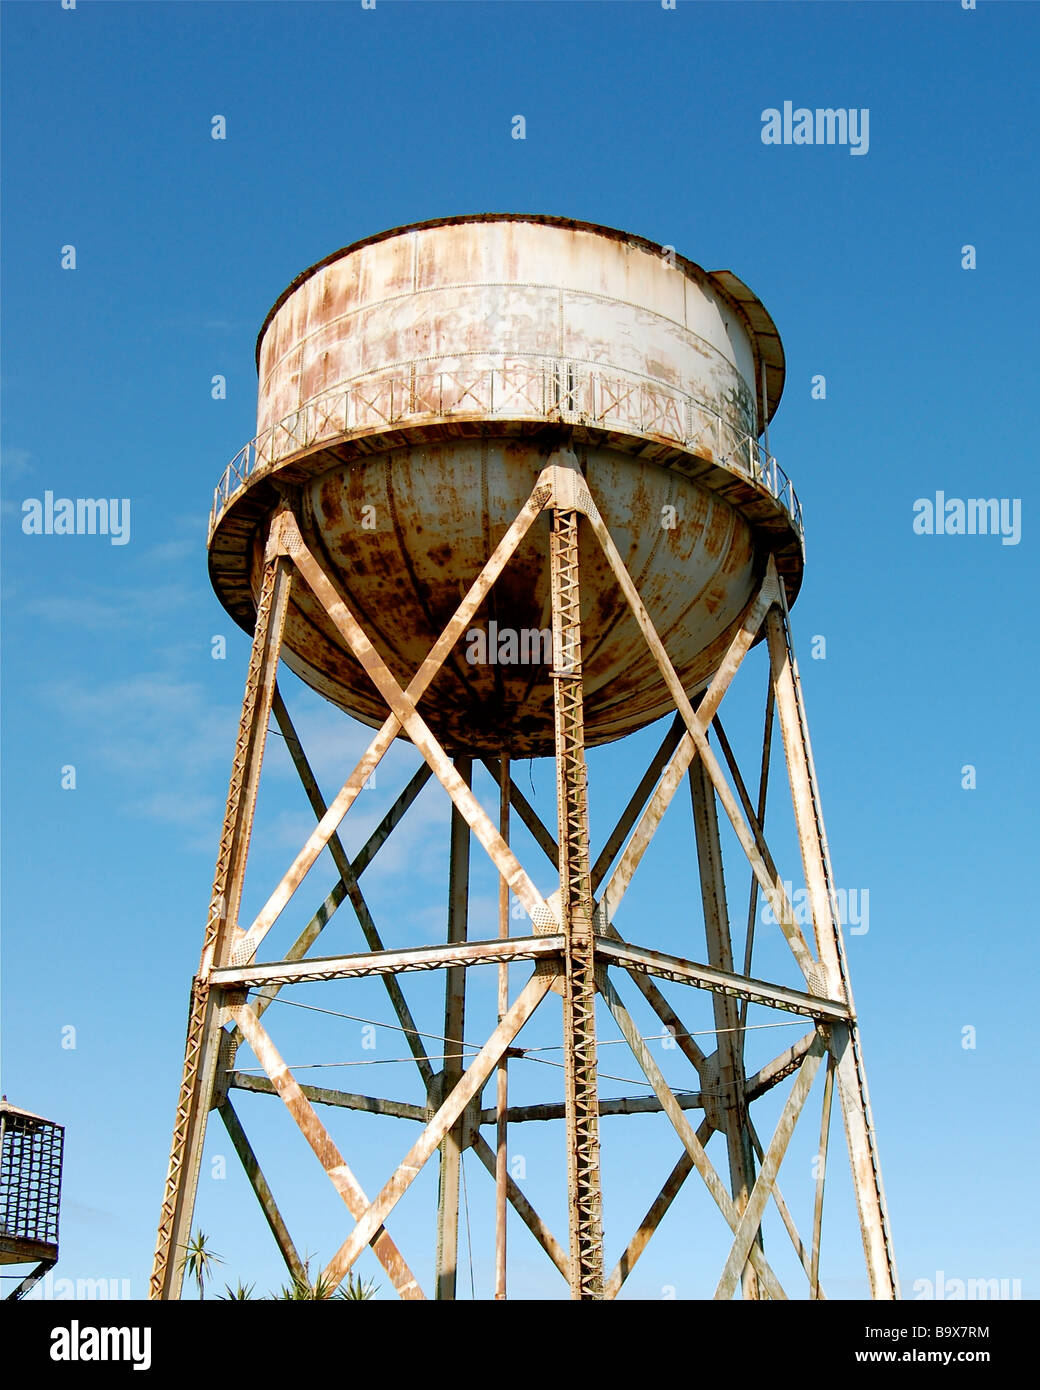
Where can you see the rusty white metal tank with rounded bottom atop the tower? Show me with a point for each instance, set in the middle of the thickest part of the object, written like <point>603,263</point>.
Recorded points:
<point>414,386</point>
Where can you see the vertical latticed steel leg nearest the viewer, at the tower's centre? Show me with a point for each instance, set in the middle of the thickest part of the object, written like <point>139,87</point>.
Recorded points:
<point>576,900</point>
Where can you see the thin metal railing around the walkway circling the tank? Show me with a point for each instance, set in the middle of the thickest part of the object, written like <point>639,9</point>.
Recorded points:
<point>517,390</point>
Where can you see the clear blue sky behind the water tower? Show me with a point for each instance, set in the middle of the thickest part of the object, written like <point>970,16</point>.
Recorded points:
<point>343,123</point>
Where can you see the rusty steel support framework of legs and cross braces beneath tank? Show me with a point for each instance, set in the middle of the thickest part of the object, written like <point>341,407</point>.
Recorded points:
<point>575,950</point>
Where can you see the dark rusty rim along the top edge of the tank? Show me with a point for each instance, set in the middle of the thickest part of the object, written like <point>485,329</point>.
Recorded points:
<point>767,337</point>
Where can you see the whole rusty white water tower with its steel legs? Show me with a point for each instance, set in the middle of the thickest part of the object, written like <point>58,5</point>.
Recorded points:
<point>508,500</point>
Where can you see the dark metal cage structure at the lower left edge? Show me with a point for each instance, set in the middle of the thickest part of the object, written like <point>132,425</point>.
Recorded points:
<point>31,1154</point>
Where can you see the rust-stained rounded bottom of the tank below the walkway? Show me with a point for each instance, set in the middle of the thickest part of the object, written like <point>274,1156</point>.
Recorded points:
<point>403,537</point>
